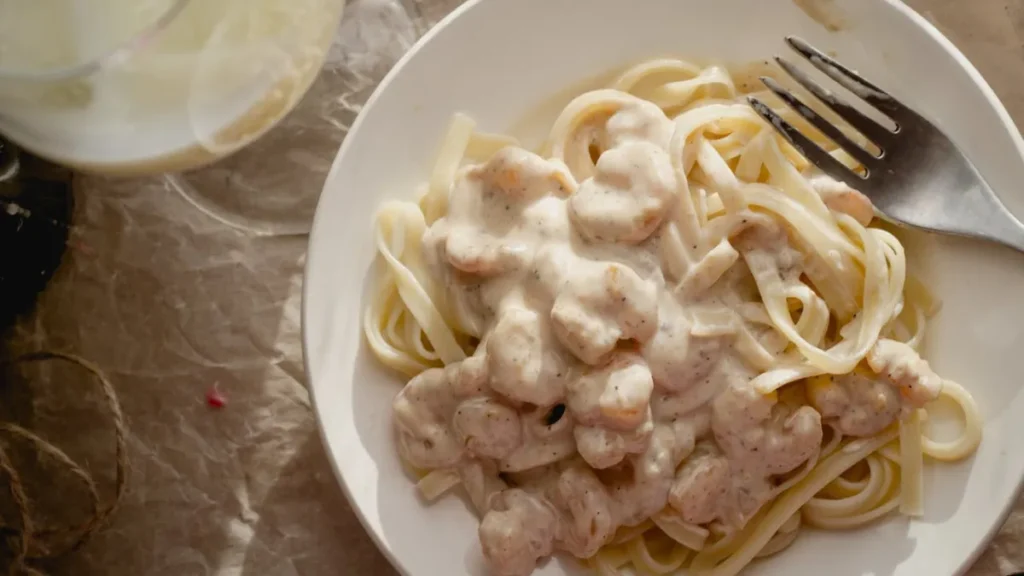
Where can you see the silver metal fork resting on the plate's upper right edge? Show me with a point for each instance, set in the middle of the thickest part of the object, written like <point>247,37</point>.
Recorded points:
<point>920,179</point>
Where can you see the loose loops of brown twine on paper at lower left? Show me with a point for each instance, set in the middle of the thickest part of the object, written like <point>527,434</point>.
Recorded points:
<point>29,543</point>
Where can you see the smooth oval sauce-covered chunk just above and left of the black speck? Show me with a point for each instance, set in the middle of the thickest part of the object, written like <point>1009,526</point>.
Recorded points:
<point>523,365</point>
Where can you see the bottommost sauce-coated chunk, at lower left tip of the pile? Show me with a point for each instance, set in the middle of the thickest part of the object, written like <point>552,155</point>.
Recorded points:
<point>518,531</point>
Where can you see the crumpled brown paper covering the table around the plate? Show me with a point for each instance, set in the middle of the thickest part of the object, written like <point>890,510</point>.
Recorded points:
<point>180,284</point>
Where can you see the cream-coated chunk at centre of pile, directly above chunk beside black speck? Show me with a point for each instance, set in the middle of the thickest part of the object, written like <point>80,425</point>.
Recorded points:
<point>599,308</point>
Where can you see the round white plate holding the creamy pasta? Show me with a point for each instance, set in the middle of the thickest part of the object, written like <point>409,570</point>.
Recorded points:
<point>497,60</point>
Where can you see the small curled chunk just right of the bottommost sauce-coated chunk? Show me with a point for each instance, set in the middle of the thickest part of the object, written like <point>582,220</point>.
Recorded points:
<point>587,509</point>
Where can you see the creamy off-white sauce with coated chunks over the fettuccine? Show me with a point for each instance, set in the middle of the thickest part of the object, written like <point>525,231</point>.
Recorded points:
<point>608,387</point>
